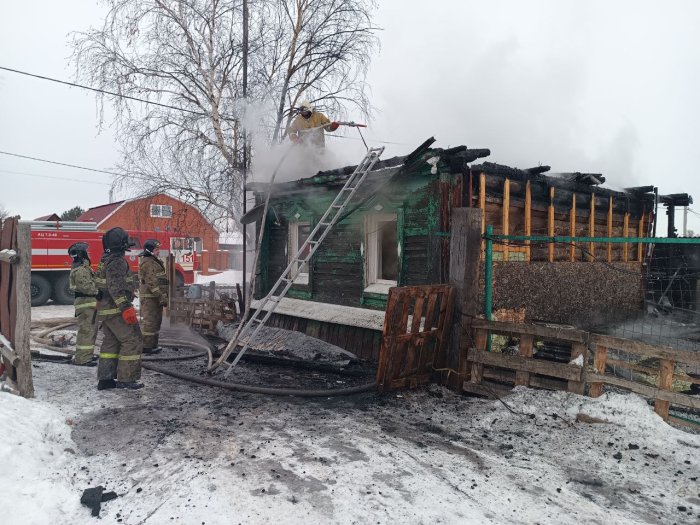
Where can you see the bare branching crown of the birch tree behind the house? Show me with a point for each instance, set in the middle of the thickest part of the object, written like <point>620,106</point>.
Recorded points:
<point>185,57</point>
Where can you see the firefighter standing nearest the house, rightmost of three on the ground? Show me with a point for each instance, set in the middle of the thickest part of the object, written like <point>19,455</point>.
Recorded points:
<point>153,295</point>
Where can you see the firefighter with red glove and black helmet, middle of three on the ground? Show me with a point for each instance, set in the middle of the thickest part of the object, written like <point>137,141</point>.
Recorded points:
<point>120,352</point>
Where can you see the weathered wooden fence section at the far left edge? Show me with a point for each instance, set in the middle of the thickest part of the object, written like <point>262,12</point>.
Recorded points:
<point>15,306</point>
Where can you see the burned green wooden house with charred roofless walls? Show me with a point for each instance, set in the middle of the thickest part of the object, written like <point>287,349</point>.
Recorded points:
<point>397,233</point>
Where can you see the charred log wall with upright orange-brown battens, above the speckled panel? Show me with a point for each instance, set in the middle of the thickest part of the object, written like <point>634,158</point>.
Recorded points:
<point>523,208</point>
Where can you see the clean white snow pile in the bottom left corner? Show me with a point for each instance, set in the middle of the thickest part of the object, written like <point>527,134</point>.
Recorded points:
<point>36,454</point>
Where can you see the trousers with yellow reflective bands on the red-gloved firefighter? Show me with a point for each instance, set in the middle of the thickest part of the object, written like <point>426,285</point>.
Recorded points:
<point>120,352</point>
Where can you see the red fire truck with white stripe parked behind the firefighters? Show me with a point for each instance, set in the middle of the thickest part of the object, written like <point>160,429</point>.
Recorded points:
<point>51,263</point>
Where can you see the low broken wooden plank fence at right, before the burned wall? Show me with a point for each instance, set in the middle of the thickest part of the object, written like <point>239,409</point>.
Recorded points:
<point>490,372</point>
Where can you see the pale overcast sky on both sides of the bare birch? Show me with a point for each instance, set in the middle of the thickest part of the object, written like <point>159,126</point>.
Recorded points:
<point>602,86</point>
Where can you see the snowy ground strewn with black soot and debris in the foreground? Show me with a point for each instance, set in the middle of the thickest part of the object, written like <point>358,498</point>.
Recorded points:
<point>179,453</point>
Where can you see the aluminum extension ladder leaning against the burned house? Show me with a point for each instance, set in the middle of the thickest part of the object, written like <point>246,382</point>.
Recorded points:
<point>311,244</point>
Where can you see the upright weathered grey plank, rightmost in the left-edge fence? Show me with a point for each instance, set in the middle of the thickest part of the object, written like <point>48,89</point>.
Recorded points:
<point>24,310</point>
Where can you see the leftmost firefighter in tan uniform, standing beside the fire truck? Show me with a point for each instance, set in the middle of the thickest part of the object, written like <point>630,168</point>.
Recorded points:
<point>82,283</point>
